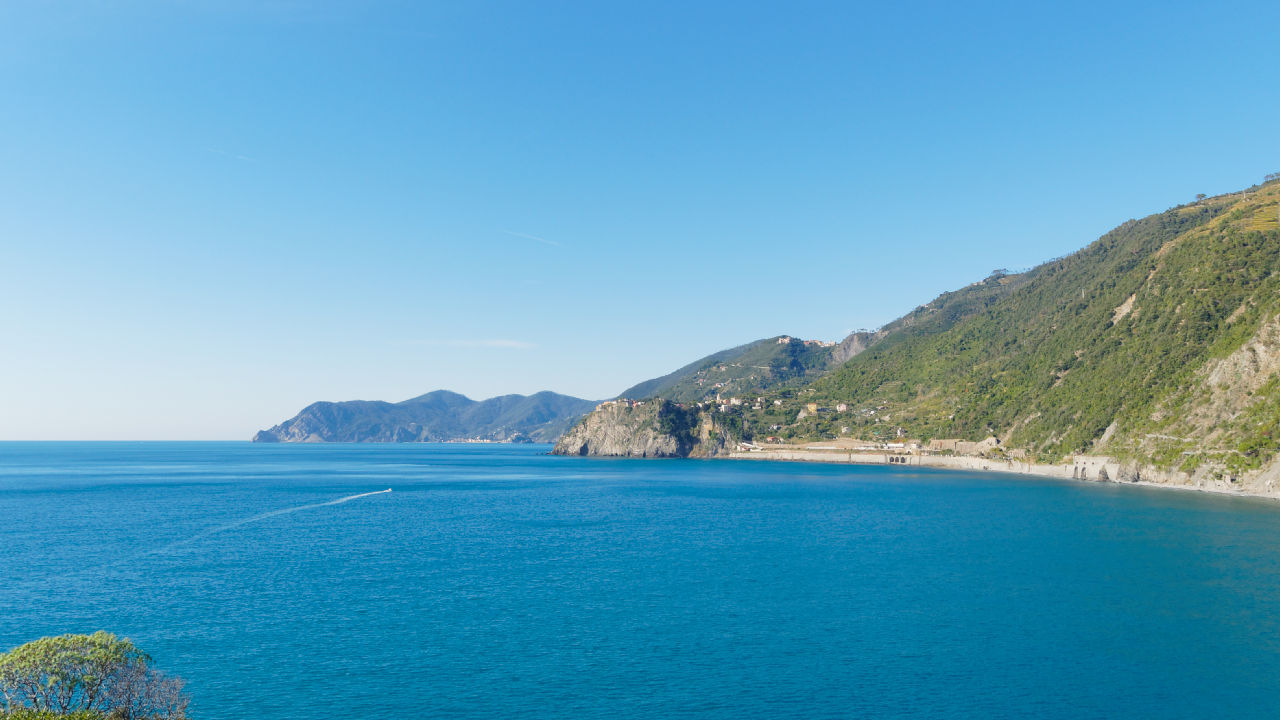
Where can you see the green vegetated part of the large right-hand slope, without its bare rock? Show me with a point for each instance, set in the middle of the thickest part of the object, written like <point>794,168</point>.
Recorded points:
<point>1089,340</point>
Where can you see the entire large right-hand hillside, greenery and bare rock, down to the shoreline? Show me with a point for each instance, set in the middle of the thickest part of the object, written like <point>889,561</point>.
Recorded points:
<point>1119,348</point>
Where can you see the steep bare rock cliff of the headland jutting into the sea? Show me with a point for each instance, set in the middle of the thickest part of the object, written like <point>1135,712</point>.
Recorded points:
<point>625,430</point>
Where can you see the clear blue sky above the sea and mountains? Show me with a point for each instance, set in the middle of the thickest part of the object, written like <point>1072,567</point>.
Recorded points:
<point>213,213</point>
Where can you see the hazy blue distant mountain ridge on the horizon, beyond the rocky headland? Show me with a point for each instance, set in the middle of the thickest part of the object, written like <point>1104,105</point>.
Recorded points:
<point>436,417</point>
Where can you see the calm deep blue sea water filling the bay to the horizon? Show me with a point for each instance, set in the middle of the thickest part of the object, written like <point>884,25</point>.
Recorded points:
<point>500,582</point>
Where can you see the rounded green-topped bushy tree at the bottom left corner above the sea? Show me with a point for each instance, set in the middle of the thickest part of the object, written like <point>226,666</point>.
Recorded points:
<point>97,676</point>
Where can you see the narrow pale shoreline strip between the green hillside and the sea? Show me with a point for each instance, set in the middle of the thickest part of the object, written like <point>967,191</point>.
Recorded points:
<point>1064,472</point>
